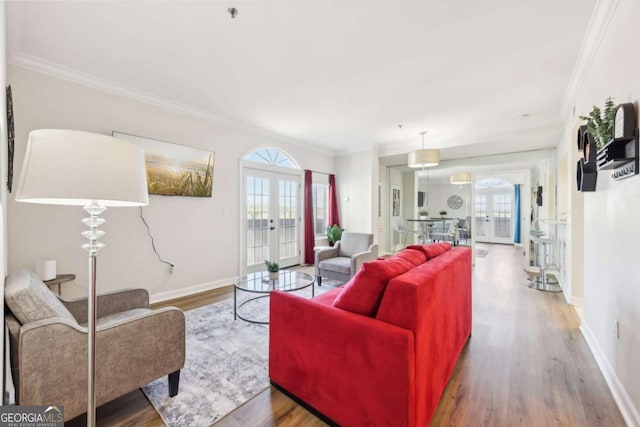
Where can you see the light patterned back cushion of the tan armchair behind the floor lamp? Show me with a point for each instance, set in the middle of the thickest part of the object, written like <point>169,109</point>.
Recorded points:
<point>29,299</point>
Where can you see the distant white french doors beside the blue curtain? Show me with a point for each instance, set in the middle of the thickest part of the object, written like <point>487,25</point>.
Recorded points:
<point>494,215</point>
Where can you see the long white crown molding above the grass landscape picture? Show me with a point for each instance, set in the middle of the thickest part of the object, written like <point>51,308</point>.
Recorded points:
<point>39,65</point>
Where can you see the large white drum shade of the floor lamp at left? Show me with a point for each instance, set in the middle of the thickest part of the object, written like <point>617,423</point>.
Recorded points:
<point>70,167</point>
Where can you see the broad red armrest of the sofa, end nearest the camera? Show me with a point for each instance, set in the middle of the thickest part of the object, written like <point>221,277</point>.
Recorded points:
<point>353,369</point>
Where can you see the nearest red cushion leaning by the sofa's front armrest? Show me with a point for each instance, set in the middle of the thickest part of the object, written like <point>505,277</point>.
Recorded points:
<point>363,293</point>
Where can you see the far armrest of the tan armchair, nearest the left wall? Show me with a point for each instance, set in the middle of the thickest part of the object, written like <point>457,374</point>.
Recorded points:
<point>108,303</point>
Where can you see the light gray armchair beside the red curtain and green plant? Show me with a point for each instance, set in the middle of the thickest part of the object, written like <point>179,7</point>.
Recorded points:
<point>345,258</point>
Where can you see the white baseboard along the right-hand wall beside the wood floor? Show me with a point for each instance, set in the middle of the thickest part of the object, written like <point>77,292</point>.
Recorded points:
<point>622,399</point>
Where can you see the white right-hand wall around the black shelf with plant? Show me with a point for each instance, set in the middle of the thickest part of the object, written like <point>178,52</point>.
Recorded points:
<point>611,232</point>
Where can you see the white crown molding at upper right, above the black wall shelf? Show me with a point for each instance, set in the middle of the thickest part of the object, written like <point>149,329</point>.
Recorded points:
<point>596,30</point>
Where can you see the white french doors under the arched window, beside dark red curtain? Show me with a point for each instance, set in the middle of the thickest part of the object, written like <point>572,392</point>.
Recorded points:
<point>272,219</point>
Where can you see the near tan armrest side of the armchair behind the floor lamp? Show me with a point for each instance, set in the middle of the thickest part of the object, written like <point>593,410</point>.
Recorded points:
<point>52,361</point>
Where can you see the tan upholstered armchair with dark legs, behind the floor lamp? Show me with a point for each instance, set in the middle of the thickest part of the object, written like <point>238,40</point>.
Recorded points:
<point>48,343</point>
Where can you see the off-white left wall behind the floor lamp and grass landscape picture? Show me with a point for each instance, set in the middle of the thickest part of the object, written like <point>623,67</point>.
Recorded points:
<point>199,235</point>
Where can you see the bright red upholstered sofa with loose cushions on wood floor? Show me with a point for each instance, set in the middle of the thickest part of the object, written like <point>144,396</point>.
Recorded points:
<point>380,350</point>
